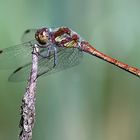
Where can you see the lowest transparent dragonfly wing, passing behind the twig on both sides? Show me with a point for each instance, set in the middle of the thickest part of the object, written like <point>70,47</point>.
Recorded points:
<point>67,57</point>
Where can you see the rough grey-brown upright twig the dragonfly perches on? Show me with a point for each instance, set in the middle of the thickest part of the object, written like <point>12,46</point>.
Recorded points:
<point>28,102</point>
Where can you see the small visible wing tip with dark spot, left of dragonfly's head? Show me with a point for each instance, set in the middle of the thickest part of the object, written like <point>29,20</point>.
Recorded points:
<point>28,35</point>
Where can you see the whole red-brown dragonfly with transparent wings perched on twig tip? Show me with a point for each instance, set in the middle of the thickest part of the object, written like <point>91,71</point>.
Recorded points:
<point>59,48</point>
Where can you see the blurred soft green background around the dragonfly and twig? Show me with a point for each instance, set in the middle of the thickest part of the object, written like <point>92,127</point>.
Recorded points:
<point>93,101</point>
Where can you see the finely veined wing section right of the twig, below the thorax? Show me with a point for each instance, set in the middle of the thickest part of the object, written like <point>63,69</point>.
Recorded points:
<point>67,58</point>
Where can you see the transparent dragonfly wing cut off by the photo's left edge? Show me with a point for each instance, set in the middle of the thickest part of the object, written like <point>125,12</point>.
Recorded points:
<point>16,56</point>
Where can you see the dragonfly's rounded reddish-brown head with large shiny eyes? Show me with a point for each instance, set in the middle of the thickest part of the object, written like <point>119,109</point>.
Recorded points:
<point>42,36</point>
